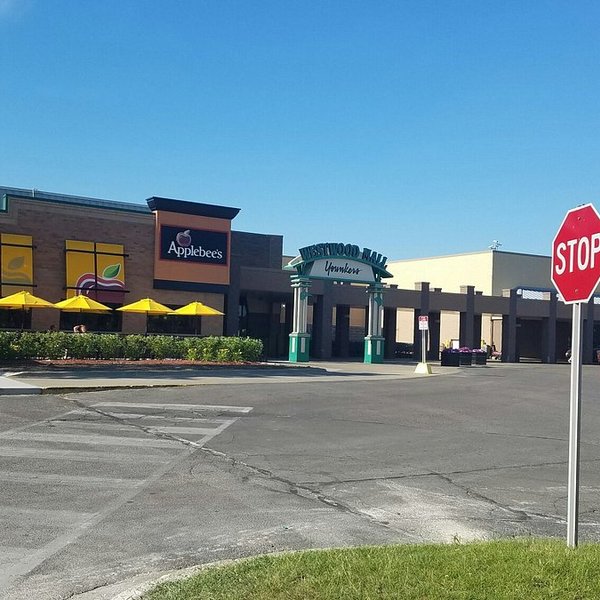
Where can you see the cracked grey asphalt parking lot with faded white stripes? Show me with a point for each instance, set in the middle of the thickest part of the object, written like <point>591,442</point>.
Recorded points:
<point>101,490</point>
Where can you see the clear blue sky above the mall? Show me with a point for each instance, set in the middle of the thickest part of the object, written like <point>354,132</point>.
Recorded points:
<point>417,128</point>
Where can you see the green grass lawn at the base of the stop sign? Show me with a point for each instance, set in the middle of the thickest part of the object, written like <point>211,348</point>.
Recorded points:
<point>499,570</point>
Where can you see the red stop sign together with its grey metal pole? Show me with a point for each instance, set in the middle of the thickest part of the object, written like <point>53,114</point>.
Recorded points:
<point>576,273</point>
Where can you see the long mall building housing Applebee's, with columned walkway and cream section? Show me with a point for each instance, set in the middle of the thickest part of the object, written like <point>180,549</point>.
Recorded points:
<point>176,251</point>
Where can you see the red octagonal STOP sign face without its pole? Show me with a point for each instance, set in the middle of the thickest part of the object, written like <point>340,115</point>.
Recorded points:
<point>576,255</point>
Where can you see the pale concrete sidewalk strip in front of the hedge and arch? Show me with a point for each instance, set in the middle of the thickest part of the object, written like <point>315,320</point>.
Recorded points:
<point>59,379</point>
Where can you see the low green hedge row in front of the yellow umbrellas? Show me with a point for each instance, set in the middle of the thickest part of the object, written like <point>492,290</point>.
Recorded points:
<point>57,345</point>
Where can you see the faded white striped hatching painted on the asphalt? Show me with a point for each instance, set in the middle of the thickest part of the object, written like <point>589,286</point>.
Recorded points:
<point>145,450</point>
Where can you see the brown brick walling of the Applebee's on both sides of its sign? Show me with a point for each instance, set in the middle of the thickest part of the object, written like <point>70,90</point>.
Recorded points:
<point>51,223</point>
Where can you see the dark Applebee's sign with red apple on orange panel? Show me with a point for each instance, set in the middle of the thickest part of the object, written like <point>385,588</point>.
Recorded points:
<point>194,245</point>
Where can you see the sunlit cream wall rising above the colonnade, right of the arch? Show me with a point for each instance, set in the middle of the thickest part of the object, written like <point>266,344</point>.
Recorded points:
<point>446,272</point>
